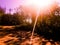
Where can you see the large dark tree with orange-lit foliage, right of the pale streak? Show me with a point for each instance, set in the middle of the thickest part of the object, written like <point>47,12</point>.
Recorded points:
<point>50,26</point>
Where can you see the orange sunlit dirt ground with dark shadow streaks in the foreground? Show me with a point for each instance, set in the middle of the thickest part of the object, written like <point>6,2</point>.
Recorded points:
<point>23,38</point>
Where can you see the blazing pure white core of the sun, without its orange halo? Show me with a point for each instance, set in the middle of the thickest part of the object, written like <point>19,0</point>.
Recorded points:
<point>39,3</point>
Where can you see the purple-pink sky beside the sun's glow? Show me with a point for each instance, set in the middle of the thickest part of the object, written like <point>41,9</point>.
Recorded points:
<point>14,3</point>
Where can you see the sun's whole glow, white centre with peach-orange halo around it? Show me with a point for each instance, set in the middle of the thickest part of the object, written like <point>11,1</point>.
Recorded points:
<point>34,6</point>
